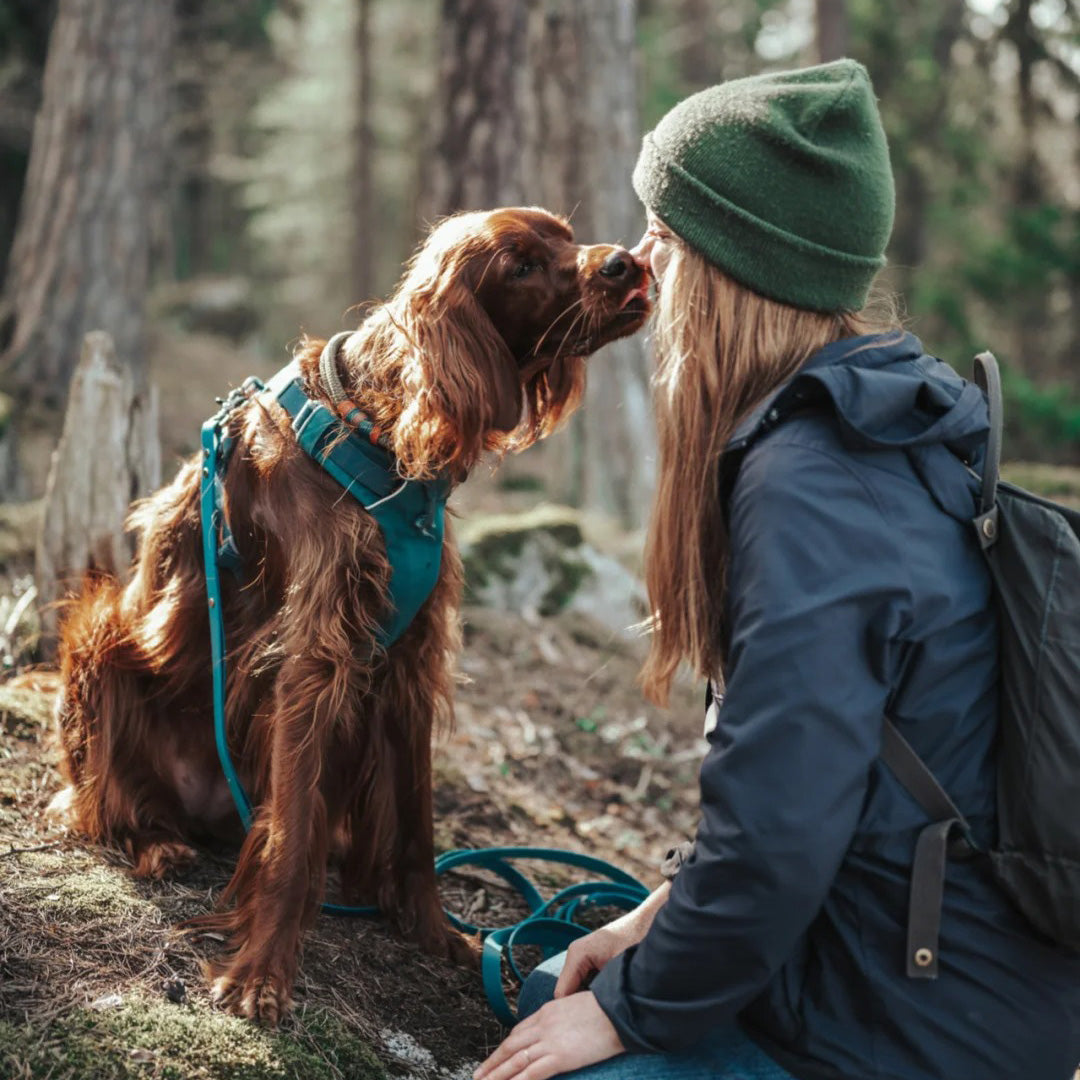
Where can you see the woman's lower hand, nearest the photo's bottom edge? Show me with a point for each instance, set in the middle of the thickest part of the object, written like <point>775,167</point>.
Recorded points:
<point>564,1035</point>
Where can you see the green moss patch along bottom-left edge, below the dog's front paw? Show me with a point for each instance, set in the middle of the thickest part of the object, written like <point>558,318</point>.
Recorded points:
<point>145,1039</point>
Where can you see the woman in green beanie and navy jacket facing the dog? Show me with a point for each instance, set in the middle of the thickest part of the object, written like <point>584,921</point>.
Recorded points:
<point>796,551</point>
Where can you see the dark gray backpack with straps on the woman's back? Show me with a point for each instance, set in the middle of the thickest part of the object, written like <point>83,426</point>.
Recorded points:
<point>1033,550</point>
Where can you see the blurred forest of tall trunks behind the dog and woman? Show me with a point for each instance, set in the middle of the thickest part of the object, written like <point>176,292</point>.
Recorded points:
<point>206,180</point>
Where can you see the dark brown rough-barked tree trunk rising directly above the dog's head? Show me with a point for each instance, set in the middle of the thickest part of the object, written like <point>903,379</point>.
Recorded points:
<point>477,164</point>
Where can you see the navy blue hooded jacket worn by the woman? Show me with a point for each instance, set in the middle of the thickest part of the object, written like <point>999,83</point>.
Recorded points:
<point>852,595</point>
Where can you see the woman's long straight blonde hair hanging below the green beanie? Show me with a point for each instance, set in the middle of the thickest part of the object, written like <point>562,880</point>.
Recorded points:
<point>721,349</point>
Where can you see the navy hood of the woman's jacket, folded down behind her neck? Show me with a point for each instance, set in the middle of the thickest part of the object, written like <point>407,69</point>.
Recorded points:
<point>886,394</point>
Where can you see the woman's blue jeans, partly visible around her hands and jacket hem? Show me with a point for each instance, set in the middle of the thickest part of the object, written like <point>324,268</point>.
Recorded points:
<point>723,1056</point>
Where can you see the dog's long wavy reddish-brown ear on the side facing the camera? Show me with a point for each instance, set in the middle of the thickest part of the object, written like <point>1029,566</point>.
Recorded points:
<point>467,393</point>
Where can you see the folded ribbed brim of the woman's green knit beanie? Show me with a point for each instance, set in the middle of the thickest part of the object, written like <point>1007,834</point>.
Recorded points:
<point>768,260</point>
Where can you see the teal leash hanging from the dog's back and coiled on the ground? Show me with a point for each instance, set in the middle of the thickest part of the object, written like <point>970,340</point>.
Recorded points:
<point>550,925</point>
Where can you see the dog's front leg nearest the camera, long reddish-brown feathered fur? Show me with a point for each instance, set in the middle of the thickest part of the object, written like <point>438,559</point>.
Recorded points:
<point>280,879</point>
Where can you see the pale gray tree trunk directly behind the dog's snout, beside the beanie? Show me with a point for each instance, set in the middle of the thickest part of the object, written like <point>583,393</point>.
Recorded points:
<point>583,142</point>
